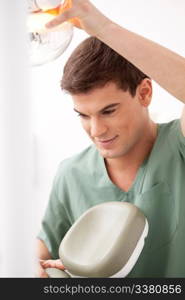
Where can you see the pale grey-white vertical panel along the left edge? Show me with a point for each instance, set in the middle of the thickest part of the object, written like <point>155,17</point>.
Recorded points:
<point>18,205</point>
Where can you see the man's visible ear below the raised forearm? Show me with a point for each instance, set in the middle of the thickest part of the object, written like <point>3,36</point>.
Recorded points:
<point>144,92</point>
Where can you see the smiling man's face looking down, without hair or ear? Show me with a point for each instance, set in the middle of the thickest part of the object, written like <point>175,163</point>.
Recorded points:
<point>114,120</point>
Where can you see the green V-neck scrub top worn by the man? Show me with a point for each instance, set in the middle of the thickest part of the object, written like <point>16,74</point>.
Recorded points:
<point>158,190</point>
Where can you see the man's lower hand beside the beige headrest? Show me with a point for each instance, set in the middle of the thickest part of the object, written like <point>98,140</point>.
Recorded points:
<point>49,263</point>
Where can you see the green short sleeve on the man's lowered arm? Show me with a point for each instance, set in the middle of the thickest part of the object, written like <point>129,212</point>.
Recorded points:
<point>56,221</point>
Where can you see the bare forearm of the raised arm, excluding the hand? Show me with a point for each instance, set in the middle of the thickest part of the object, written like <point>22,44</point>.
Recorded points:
<point>161,64</point>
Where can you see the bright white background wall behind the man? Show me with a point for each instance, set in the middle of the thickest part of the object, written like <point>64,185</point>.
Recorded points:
<point>57,130</point>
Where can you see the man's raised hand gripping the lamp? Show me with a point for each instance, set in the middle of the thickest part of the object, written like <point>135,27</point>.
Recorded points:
<point>83,14</point>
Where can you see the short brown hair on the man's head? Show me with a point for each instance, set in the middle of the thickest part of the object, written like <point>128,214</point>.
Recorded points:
<point>93,64</point>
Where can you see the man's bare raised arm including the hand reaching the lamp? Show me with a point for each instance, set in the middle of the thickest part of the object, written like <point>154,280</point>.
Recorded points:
<point>161,64</point>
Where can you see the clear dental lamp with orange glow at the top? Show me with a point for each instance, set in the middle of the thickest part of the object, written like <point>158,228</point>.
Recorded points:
<point>46,45</point>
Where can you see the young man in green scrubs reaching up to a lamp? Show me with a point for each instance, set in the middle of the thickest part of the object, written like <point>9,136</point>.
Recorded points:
<point>132,158</point>
